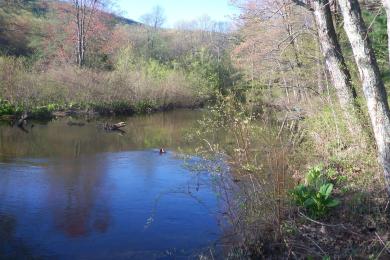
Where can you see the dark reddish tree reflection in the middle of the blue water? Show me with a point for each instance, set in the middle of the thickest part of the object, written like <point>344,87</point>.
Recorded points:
<point>79,207</point>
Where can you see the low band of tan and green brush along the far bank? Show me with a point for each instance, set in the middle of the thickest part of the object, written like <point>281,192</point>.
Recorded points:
<point>145,87</point>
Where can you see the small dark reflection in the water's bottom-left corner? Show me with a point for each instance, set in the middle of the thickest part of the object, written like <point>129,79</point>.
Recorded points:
<point>10,246</point>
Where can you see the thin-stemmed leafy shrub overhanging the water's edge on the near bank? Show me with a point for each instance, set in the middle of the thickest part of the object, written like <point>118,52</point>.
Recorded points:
<point>254,185</point>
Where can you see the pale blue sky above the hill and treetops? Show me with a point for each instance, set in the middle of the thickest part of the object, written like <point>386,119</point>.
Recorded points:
<point>178,10</point>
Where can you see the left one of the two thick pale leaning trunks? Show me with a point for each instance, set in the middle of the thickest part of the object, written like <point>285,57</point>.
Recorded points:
<point>336,66</point>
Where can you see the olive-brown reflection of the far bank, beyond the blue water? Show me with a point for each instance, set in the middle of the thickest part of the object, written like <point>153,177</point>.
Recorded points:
<point>58,139</point>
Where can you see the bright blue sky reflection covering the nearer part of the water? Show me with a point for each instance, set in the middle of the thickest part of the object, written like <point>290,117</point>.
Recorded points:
<point>99,205</point>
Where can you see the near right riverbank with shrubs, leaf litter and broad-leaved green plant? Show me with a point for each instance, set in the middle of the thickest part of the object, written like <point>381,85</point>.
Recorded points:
<point>307,188</point>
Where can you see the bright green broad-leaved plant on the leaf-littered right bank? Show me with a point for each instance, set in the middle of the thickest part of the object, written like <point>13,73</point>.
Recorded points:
<point>316,194</point>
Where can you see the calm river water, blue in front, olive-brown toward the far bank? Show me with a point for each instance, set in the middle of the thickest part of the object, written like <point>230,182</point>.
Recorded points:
<point>81,192</point>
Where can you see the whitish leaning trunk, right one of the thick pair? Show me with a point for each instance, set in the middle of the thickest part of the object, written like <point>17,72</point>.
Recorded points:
<point>373,88</point>
